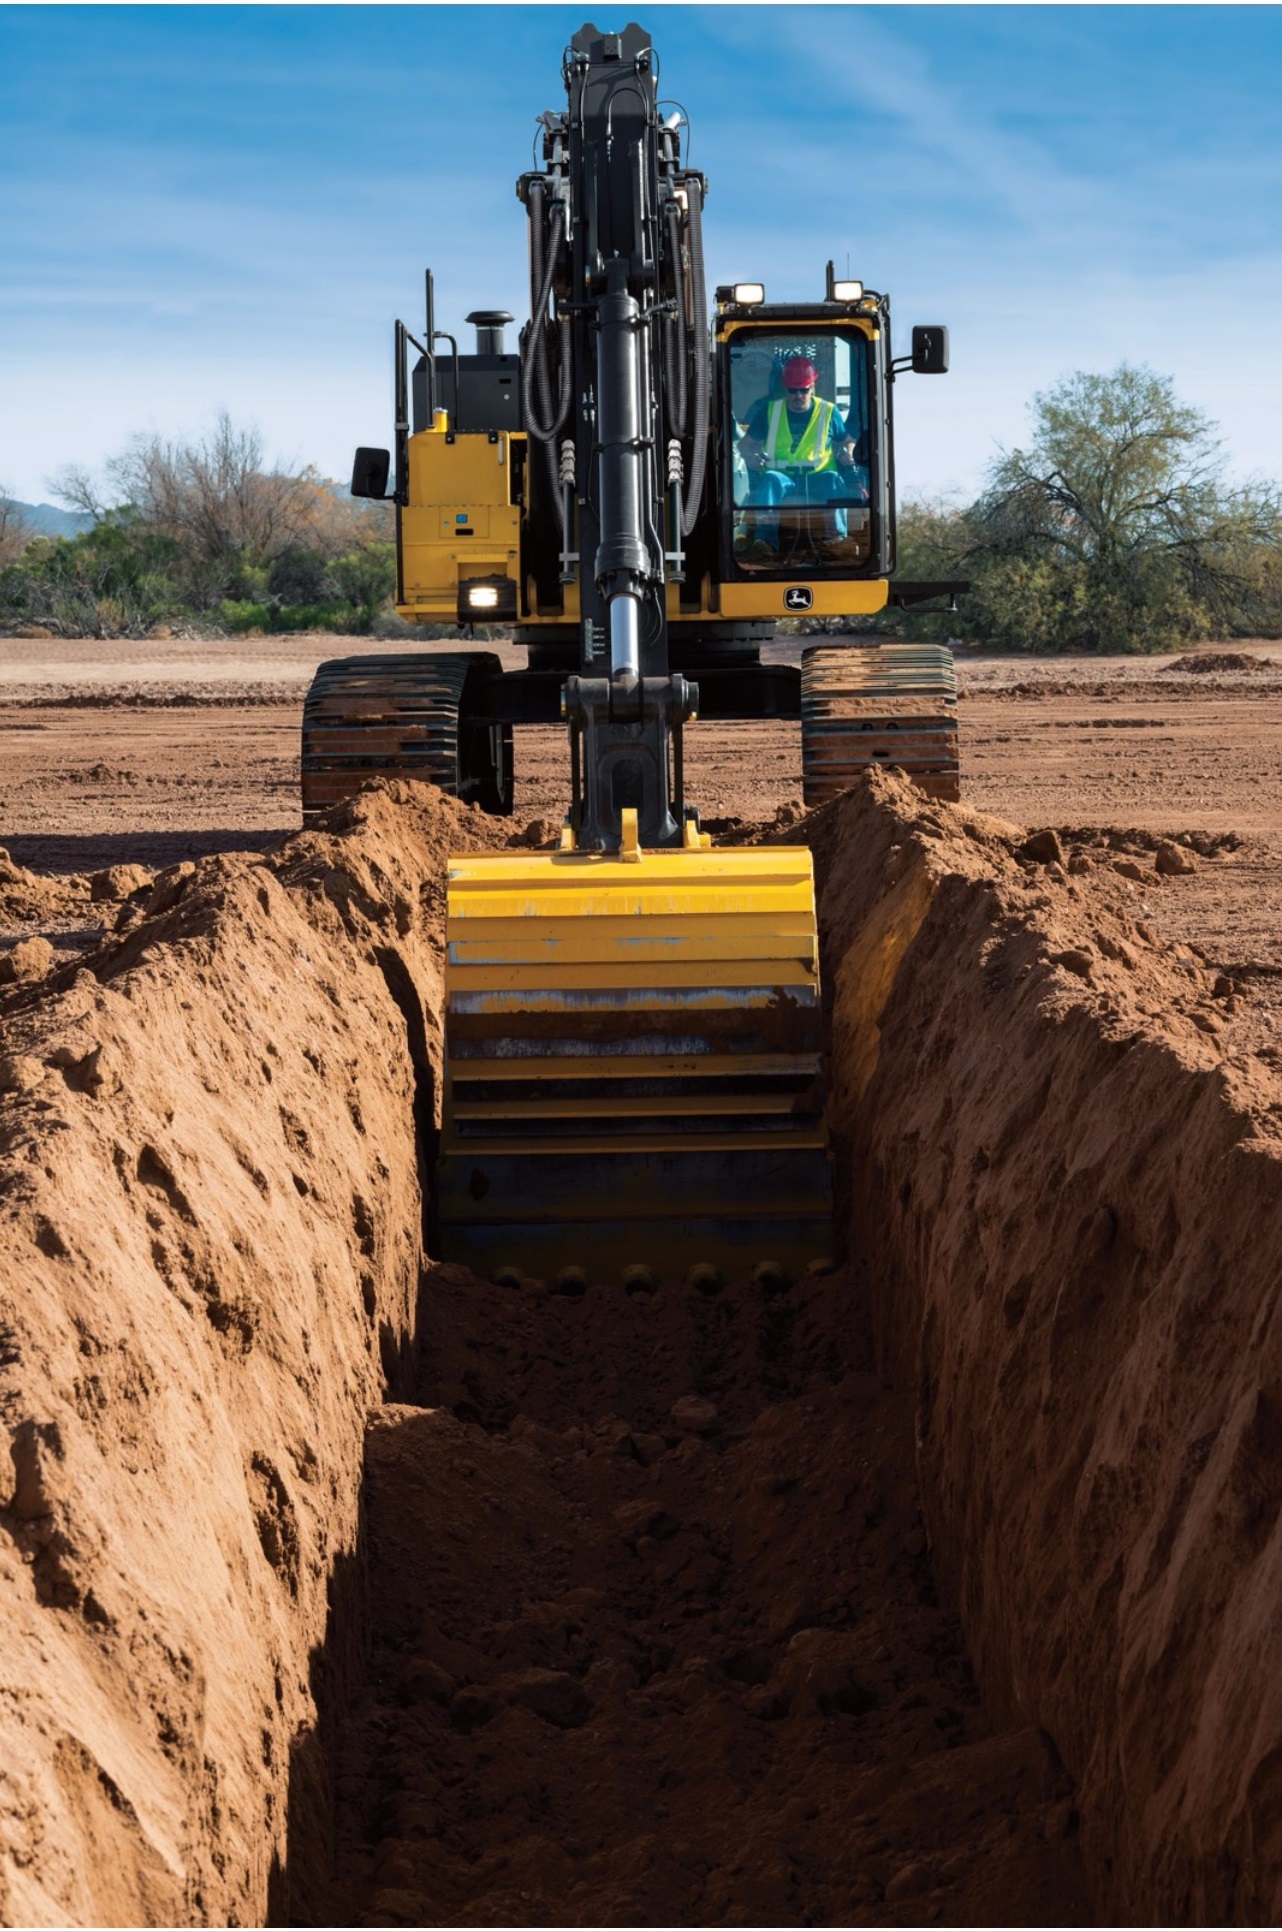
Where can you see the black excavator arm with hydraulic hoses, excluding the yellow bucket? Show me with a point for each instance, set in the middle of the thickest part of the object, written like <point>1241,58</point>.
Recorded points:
<point>615,383</point>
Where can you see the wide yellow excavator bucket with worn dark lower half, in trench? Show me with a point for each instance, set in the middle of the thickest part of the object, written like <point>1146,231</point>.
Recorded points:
<point>634,1065</point>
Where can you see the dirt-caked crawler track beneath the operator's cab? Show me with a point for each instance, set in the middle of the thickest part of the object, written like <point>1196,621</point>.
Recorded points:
<point>879,704</point>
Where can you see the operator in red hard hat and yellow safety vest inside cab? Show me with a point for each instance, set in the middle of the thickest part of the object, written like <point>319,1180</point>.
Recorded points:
<point>798,449</point>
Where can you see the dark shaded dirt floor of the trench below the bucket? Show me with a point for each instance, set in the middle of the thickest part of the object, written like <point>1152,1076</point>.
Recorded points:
<point>652,1633</point>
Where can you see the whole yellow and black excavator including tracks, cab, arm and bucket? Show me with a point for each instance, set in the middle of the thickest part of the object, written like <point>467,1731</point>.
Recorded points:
<point>634,1044</point>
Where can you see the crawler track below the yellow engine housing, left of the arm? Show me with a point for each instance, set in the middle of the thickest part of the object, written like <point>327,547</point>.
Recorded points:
<point>395,717</point>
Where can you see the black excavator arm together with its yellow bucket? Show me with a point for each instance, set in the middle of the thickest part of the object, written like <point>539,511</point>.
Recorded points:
<point>632,1024</point>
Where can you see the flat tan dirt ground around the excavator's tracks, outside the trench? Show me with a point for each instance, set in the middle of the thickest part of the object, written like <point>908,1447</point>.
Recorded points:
<point>150,754</point>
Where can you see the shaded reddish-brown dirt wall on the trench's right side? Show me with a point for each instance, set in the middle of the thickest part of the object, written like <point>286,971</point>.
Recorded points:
<point>1071,1206</point>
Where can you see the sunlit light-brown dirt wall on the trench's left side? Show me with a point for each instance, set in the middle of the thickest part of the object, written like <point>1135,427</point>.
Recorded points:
<point>209,1262</point>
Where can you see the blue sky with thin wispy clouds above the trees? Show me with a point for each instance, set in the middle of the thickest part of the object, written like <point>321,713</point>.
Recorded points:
<point>225,208</point>
